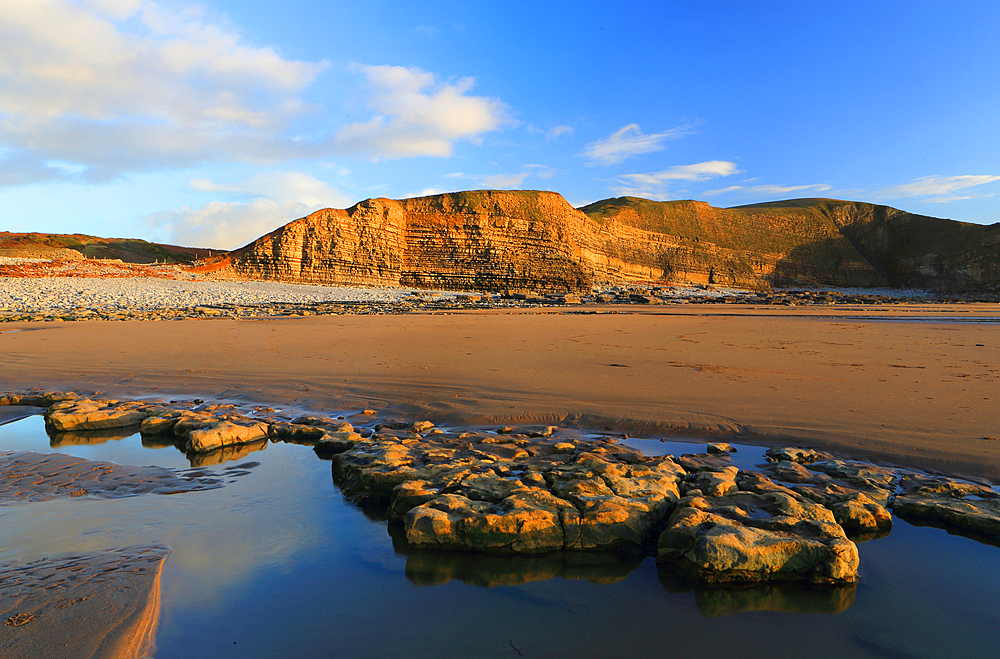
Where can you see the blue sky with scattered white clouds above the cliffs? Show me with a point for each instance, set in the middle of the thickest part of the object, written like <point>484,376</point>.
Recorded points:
<point>211,124</point>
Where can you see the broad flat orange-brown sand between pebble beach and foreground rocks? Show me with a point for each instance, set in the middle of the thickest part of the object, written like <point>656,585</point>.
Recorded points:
<point>910,384</point>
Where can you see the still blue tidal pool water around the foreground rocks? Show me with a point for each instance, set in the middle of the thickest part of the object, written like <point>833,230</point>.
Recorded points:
<point>278,564</point>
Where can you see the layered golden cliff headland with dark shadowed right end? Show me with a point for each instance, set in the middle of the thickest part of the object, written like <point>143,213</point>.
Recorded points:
<point>535,241</point>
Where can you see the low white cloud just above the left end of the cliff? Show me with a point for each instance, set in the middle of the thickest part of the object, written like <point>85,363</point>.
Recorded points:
<point>277,198</point>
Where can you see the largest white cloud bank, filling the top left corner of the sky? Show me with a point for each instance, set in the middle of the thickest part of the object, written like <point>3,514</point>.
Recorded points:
<point>123,85</point>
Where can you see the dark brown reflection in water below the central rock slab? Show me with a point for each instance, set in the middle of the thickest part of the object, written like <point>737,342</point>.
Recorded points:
<point>433,568</point>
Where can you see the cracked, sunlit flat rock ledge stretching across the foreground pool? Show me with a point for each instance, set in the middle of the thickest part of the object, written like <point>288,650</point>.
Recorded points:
<point>538,492</point>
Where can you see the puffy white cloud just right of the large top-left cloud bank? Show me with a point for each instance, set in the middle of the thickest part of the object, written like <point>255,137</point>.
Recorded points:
<point>418,115</point>
